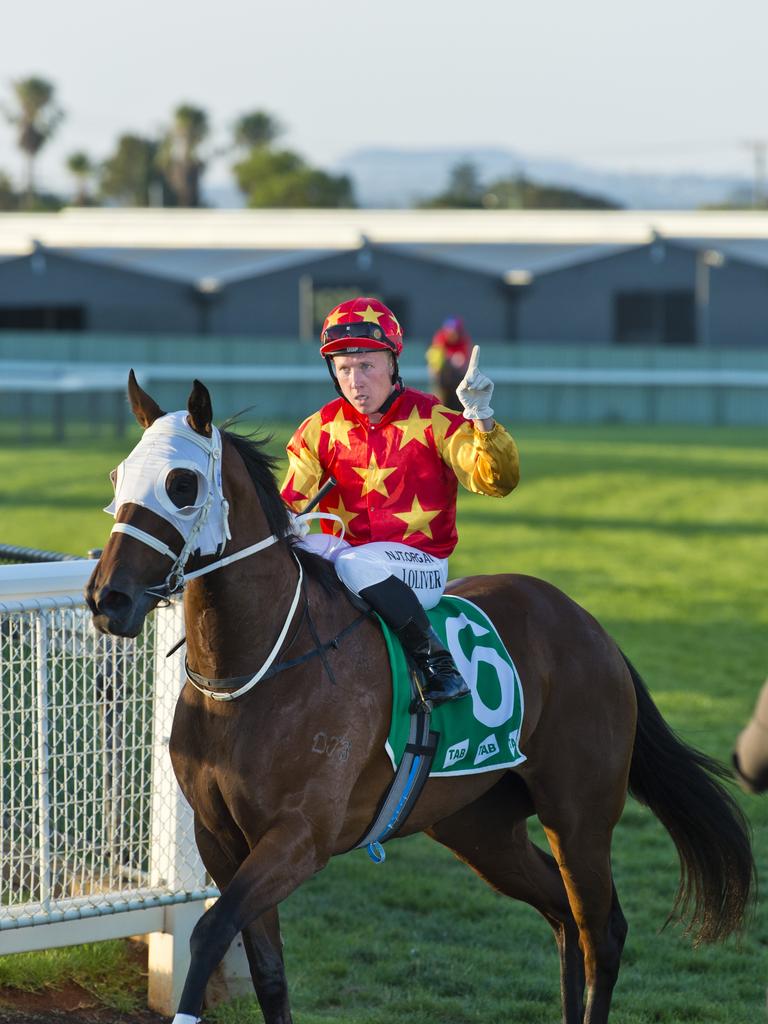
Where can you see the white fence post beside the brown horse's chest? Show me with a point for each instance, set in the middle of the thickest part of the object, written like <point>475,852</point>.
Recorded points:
<point>175,863</point>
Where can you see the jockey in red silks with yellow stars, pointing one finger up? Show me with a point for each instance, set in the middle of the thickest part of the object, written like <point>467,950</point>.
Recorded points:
<point>398,457</point>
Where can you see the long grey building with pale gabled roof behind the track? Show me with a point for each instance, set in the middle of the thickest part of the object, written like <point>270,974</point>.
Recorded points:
<point>573,278</point>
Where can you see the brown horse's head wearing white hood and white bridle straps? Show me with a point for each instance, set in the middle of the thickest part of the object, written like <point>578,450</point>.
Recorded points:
<point>172,506</point>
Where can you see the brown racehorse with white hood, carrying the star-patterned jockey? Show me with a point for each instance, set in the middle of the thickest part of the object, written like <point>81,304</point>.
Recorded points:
<point>270,814</point>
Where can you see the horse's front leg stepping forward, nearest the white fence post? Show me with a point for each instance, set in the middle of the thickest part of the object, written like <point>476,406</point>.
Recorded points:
<point>285,858</point>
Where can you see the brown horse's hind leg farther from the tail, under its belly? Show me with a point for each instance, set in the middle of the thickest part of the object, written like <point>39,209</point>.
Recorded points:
<point>492,837</point>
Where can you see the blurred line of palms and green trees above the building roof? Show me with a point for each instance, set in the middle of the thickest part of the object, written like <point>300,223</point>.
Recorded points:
<point>167,170</point>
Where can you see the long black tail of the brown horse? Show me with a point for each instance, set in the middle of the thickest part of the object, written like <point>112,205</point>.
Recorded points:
<point>681,787</point>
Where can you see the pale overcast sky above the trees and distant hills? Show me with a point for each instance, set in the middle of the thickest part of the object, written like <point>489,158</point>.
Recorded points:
<point>655,86</point>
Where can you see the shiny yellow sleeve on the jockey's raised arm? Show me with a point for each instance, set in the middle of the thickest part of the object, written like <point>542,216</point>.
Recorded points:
<point>484,463</point>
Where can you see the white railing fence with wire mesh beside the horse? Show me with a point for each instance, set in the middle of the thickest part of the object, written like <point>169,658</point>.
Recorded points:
<point>97,839</point>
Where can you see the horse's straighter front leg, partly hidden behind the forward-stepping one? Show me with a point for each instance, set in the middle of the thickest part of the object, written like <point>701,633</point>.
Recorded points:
<point>223,854</point>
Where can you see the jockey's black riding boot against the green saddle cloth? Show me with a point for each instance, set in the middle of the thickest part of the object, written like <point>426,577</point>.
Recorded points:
<point>400,609</point>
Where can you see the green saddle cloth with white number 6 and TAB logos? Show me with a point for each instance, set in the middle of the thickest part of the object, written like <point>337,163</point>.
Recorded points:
<point>480,733</point>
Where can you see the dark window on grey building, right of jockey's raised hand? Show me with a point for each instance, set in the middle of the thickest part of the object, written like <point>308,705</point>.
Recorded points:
<point>655,318</point>
